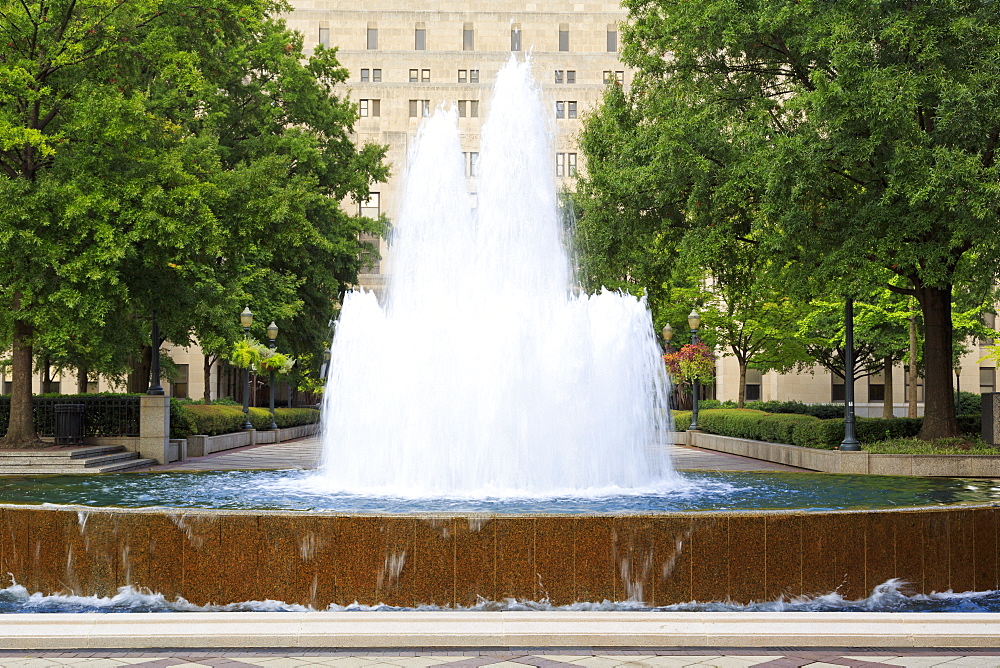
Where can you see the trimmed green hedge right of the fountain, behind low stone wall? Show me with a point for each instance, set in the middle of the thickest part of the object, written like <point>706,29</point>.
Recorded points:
<point>805,430</point>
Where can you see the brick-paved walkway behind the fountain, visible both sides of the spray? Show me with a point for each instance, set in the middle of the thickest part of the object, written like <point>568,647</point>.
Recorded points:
<point>305,453</point>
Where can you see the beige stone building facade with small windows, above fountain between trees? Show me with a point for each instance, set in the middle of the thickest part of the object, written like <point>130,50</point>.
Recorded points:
<point>407,58</point>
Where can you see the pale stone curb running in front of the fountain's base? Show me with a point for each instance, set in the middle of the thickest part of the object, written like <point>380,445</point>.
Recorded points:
<point>497,629</point>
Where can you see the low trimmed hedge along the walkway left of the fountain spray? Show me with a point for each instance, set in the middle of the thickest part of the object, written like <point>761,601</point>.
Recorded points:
<point>213,420</point>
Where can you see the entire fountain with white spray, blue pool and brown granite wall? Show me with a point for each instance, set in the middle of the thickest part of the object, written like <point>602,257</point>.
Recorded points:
<point>493,435</point>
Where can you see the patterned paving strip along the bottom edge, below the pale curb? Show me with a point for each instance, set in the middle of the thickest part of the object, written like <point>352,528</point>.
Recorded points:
<point>783,657</point>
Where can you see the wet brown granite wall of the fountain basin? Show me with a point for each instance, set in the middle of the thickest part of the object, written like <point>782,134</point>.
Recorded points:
<point>316,559</point>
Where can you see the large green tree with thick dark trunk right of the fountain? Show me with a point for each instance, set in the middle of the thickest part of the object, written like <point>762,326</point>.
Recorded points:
<point>863,133</point>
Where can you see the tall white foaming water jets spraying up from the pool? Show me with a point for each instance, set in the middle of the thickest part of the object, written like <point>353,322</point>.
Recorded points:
<point>484,374</point>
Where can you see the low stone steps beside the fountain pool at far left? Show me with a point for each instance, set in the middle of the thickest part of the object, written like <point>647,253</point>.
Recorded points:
<point>71,460</point>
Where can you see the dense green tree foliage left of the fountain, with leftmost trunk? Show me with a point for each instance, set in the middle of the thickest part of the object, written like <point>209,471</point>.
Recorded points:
<point>162,159</point>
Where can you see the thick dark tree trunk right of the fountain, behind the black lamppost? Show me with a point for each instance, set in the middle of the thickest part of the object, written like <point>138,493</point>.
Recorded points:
<point>939,395</point>
